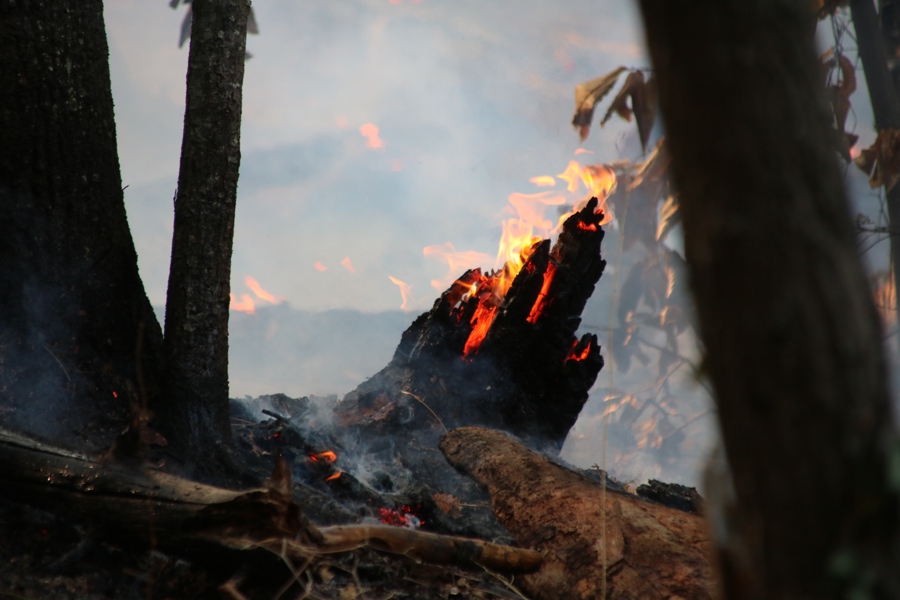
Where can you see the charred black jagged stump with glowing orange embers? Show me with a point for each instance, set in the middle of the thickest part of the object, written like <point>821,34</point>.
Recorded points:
<point>498,349</point>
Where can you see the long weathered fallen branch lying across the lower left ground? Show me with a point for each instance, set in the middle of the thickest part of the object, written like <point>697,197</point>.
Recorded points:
<point>144,506</point>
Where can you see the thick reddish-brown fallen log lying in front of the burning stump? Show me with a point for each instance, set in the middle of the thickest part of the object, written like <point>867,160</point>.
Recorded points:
<point>596,543</point>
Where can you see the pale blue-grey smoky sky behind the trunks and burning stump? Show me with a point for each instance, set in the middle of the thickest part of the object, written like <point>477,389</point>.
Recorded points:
<point>371,130</point>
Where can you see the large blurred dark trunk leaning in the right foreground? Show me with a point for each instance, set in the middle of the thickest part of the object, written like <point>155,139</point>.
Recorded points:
<point>793,342</point>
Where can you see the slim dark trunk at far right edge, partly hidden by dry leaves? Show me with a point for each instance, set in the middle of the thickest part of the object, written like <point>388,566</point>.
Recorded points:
<point>885,105</point>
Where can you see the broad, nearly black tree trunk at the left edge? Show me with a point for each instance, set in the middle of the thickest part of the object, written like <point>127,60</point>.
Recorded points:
<point>72,306</point>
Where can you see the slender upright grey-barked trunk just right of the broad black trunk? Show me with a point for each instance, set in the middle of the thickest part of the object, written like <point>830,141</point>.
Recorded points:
<point>195,411</point>
